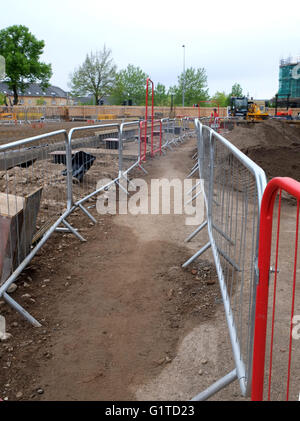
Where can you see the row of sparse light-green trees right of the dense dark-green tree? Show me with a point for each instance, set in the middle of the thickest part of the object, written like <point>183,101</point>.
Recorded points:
<point>98,76</point>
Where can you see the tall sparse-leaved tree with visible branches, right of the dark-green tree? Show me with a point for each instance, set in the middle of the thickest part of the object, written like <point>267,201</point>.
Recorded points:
<point>95,76</point>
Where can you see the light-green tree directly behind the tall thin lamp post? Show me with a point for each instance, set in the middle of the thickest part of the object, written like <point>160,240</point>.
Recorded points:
<point>194,82</point>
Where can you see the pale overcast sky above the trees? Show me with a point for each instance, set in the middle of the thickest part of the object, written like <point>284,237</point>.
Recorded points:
<point>235,41</point>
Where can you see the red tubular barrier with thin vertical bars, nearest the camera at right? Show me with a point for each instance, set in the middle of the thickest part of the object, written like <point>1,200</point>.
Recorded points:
<point>276,354</point>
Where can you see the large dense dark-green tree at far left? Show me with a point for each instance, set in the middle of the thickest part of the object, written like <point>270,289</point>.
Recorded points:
<point>22,52</point>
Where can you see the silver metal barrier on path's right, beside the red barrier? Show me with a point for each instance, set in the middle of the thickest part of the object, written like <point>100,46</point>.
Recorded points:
<point>233,187</point>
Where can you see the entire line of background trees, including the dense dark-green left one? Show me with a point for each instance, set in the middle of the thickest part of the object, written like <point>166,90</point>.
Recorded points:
<point>99,77</point>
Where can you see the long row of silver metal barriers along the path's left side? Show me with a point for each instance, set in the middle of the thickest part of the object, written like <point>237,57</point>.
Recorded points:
<point>45,178</point>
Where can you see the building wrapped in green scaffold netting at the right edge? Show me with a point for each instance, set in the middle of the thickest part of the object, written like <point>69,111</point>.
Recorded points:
<point>289,82</point>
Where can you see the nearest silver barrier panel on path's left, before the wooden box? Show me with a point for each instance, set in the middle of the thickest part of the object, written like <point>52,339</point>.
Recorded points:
<point>35,199</point>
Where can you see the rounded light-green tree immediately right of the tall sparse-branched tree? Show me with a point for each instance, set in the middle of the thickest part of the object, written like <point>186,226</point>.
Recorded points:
<point>130,85</point>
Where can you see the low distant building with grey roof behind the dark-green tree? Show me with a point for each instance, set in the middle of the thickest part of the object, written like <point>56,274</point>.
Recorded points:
<point>34,95</point>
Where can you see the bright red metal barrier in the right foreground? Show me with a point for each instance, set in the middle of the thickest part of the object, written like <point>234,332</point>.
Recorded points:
<point>260,380</point>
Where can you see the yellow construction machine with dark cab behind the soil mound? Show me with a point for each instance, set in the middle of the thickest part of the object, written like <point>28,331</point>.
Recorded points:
<point>248,109</point>
